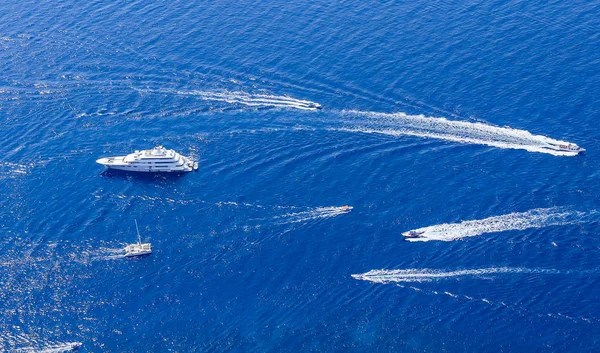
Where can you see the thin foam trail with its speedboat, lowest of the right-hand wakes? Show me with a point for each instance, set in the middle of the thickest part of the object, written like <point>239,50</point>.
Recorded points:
<point>428,275</point>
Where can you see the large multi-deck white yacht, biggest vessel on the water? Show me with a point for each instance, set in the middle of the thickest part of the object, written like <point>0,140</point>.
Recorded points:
<point>157,159</point>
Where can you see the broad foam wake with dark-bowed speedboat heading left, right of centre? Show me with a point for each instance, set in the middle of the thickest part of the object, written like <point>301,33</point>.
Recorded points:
<point>536,218</point>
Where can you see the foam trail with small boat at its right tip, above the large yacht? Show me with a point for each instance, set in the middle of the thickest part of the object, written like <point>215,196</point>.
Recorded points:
<point>249,99</point>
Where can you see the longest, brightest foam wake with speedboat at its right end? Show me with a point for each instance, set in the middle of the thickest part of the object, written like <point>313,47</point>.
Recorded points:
<point>399,124</point>
